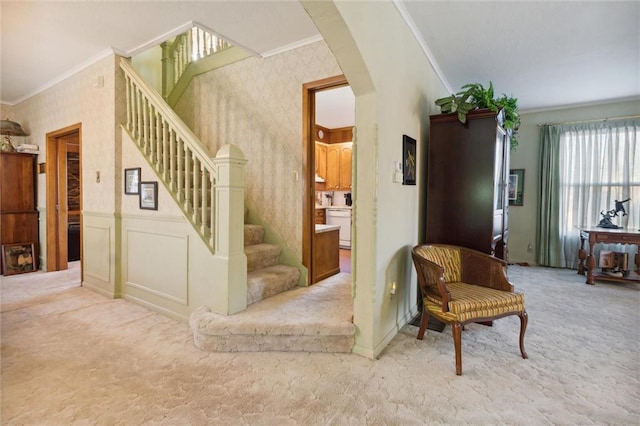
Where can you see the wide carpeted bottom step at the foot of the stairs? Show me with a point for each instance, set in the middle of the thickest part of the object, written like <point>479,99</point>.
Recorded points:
<point>318,318</point>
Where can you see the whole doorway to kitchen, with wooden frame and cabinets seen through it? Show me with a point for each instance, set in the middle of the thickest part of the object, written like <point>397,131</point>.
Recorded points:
<point>328,120</point>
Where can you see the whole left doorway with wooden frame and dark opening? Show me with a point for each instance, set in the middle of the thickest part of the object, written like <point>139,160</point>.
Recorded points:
<point>63,170</point>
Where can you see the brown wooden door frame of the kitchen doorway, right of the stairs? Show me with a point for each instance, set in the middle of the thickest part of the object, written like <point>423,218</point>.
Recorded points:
<point>308,163</point>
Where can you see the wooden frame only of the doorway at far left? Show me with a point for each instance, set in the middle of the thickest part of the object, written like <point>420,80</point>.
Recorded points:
<point>52,181</point>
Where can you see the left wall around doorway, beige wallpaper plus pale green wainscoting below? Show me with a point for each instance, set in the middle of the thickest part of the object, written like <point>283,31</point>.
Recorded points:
<point>87,97</point>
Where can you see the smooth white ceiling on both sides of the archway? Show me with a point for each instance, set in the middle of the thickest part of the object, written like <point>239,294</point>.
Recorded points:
<point>547,54</point>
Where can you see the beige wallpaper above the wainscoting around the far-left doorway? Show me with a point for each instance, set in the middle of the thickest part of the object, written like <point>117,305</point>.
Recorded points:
<point>79,99</point>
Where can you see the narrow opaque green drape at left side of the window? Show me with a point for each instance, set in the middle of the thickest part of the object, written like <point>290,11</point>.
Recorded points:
<point>548,241</point>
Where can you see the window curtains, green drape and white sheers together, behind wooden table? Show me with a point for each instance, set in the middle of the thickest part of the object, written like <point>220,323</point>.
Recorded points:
<point>584,169</point>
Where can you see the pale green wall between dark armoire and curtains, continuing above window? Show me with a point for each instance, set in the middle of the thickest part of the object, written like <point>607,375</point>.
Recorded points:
<point>522,219</point>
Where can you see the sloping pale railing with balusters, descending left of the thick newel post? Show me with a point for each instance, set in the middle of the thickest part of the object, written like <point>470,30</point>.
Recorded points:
<point>176,154</point>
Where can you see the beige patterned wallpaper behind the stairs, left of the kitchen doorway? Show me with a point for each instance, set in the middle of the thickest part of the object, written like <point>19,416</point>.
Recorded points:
<point>257,105</point>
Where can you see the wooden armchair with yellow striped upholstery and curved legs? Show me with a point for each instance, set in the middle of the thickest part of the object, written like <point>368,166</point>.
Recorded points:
<point>460,286</point>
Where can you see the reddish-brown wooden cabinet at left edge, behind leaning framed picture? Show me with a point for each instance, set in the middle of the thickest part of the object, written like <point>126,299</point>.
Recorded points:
<point>18,210</point>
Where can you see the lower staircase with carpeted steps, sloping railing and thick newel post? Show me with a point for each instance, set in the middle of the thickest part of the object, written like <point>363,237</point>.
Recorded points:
<point>279,316</point>
